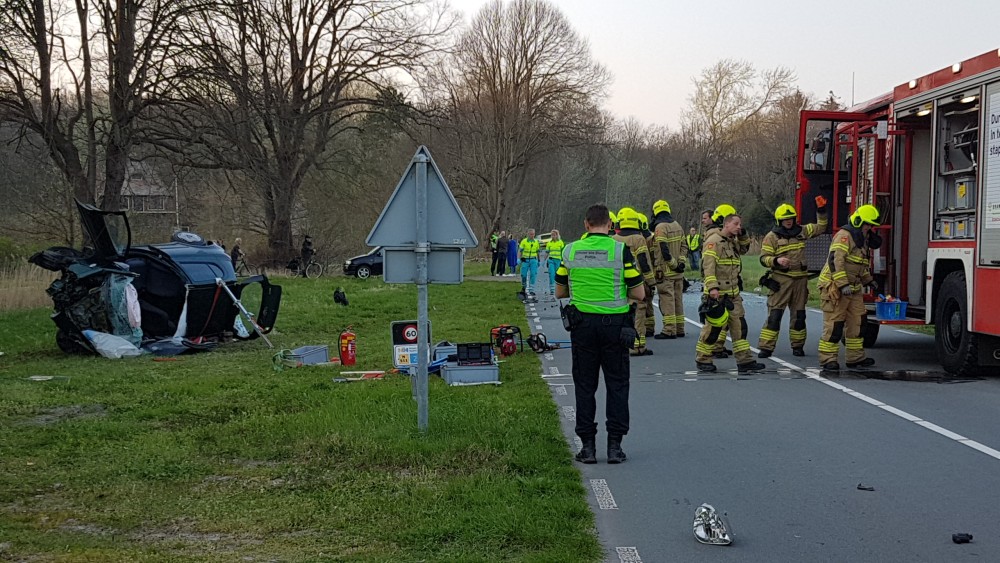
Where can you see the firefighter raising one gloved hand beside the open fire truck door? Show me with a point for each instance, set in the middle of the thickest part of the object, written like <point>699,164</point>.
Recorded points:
<point>783,253</point>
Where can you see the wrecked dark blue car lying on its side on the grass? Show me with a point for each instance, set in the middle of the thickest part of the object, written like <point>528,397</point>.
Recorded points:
<point>148,293</point>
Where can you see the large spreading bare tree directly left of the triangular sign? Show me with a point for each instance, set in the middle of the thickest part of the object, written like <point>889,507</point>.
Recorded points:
<point>270,84</point>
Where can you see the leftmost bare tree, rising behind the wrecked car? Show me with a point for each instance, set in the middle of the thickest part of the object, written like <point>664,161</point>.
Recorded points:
<point>80,89</point>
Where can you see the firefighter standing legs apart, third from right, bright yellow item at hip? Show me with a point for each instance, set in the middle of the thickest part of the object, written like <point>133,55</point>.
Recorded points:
<point>721,302</point>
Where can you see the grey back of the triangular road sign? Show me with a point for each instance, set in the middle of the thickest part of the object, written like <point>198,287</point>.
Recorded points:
<point>446,224</point>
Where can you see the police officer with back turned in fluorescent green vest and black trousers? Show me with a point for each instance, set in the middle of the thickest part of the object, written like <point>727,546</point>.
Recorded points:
<point>598,276</point>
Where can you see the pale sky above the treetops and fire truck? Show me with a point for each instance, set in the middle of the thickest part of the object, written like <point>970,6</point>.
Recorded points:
<point>655,48</point>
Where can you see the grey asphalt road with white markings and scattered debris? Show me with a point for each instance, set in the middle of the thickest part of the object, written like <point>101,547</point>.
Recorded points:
<point>782,453</point>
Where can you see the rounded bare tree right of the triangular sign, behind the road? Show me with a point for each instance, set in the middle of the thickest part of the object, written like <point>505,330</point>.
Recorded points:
<point>521,82</point>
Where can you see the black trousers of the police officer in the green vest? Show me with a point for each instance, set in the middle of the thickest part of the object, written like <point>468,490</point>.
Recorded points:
<point>597,345</point>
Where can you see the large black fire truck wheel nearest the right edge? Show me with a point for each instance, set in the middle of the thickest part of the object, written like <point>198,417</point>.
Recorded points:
<point>956,346</point>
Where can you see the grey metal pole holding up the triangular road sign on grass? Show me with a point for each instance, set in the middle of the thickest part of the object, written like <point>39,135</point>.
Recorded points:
<point>422,250</point>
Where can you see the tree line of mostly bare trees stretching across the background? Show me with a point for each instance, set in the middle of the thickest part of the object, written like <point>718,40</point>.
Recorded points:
<point>277,118</point>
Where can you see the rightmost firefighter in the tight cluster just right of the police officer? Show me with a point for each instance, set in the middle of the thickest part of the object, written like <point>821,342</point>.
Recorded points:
<point>670,253</point>
